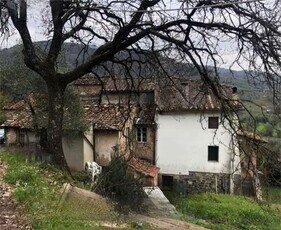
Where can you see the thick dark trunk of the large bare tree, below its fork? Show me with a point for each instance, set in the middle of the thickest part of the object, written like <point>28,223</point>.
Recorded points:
<point>53,145</point>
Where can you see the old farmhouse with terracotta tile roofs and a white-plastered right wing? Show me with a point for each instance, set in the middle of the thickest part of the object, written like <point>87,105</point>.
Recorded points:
<point>176,130</point>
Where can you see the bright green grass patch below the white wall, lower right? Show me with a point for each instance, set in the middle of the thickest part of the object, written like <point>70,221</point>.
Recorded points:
<point>218,211</point>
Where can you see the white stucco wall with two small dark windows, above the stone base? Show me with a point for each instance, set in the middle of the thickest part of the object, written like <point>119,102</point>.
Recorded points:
<point>182,144</point>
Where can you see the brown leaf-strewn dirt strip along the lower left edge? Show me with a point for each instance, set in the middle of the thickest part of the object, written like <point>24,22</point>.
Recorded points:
<point>10,212</point>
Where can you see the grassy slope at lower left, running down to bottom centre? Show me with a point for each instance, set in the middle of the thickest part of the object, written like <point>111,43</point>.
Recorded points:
<point>37,187</point>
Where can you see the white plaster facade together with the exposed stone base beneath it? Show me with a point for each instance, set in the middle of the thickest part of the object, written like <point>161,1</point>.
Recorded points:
<point>184,151</point>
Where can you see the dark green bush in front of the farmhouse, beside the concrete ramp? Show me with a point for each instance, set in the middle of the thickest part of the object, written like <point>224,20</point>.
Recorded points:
<point>122,187</point>
